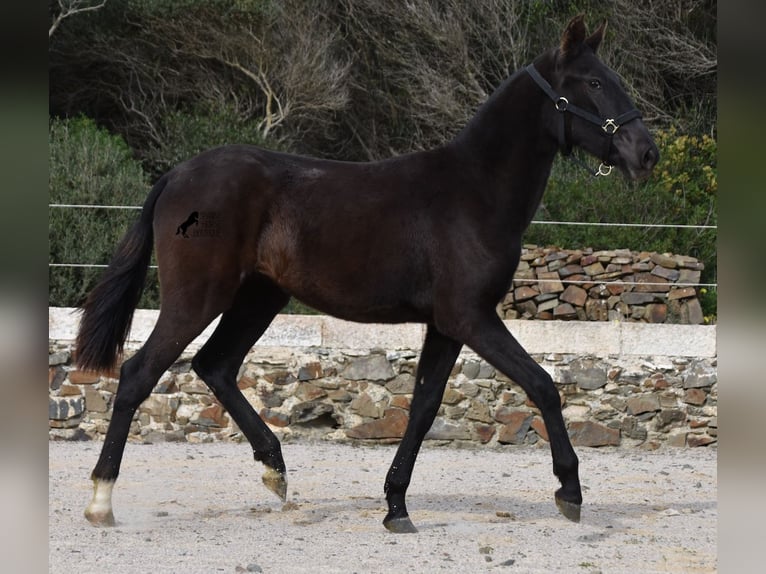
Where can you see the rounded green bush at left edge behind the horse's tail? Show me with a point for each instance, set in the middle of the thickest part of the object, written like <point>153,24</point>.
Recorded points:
<point>89,166</point>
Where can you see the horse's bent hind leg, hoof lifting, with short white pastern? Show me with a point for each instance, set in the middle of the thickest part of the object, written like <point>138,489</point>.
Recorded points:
<point>257,302</point>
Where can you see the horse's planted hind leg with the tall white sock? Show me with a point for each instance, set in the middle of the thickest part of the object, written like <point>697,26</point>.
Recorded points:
<point>138,376</point>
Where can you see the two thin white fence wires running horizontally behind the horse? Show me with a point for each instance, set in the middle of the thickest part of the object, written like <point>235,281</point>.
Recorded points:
<point>593,281</point>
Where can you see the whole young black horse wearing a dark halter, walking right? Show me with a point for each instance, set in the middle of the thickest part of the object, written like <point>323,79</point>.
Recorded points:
<point>431,237</point>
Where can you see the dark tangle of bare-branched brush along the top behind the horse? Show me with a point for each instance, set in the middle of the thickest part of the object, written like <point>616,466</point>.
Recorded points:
<point>361,79</point>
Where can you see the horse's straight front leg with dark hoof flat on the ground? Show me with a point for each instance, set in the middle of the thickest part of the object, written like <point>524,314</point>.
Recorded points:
<point>436,362</point>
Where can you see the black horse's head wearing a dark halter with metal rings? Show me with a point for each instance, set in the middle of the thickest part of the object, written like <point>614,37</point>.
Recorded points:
<point>591,109</point>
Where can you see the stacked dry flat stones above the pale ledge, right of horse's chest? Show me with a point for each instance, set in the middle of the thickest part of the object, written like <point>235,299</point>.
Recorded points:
<point>622,285</point>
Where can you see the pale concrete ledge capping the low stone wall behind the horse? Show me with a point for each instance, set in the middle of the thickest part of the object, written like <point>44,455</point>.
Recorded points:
<point>566,337</point>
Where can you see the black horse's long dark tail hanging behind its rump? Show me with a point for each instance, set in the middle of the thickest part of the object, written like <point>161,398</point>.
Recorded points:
<point>108,311</point>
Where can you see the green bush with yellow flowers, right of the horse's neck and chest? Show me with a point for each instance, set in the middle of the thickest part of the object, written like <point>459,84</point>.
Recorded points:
<point>681,191</point>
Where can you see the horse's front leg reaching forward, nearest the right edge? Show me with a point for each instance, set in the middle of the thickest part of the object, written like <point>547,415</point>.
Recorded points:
<point>489,338</point>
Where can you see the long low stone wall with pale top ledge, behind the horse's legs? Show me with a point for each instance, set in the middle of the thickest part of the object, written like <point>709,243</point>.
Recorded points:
<point>621,384</point>
